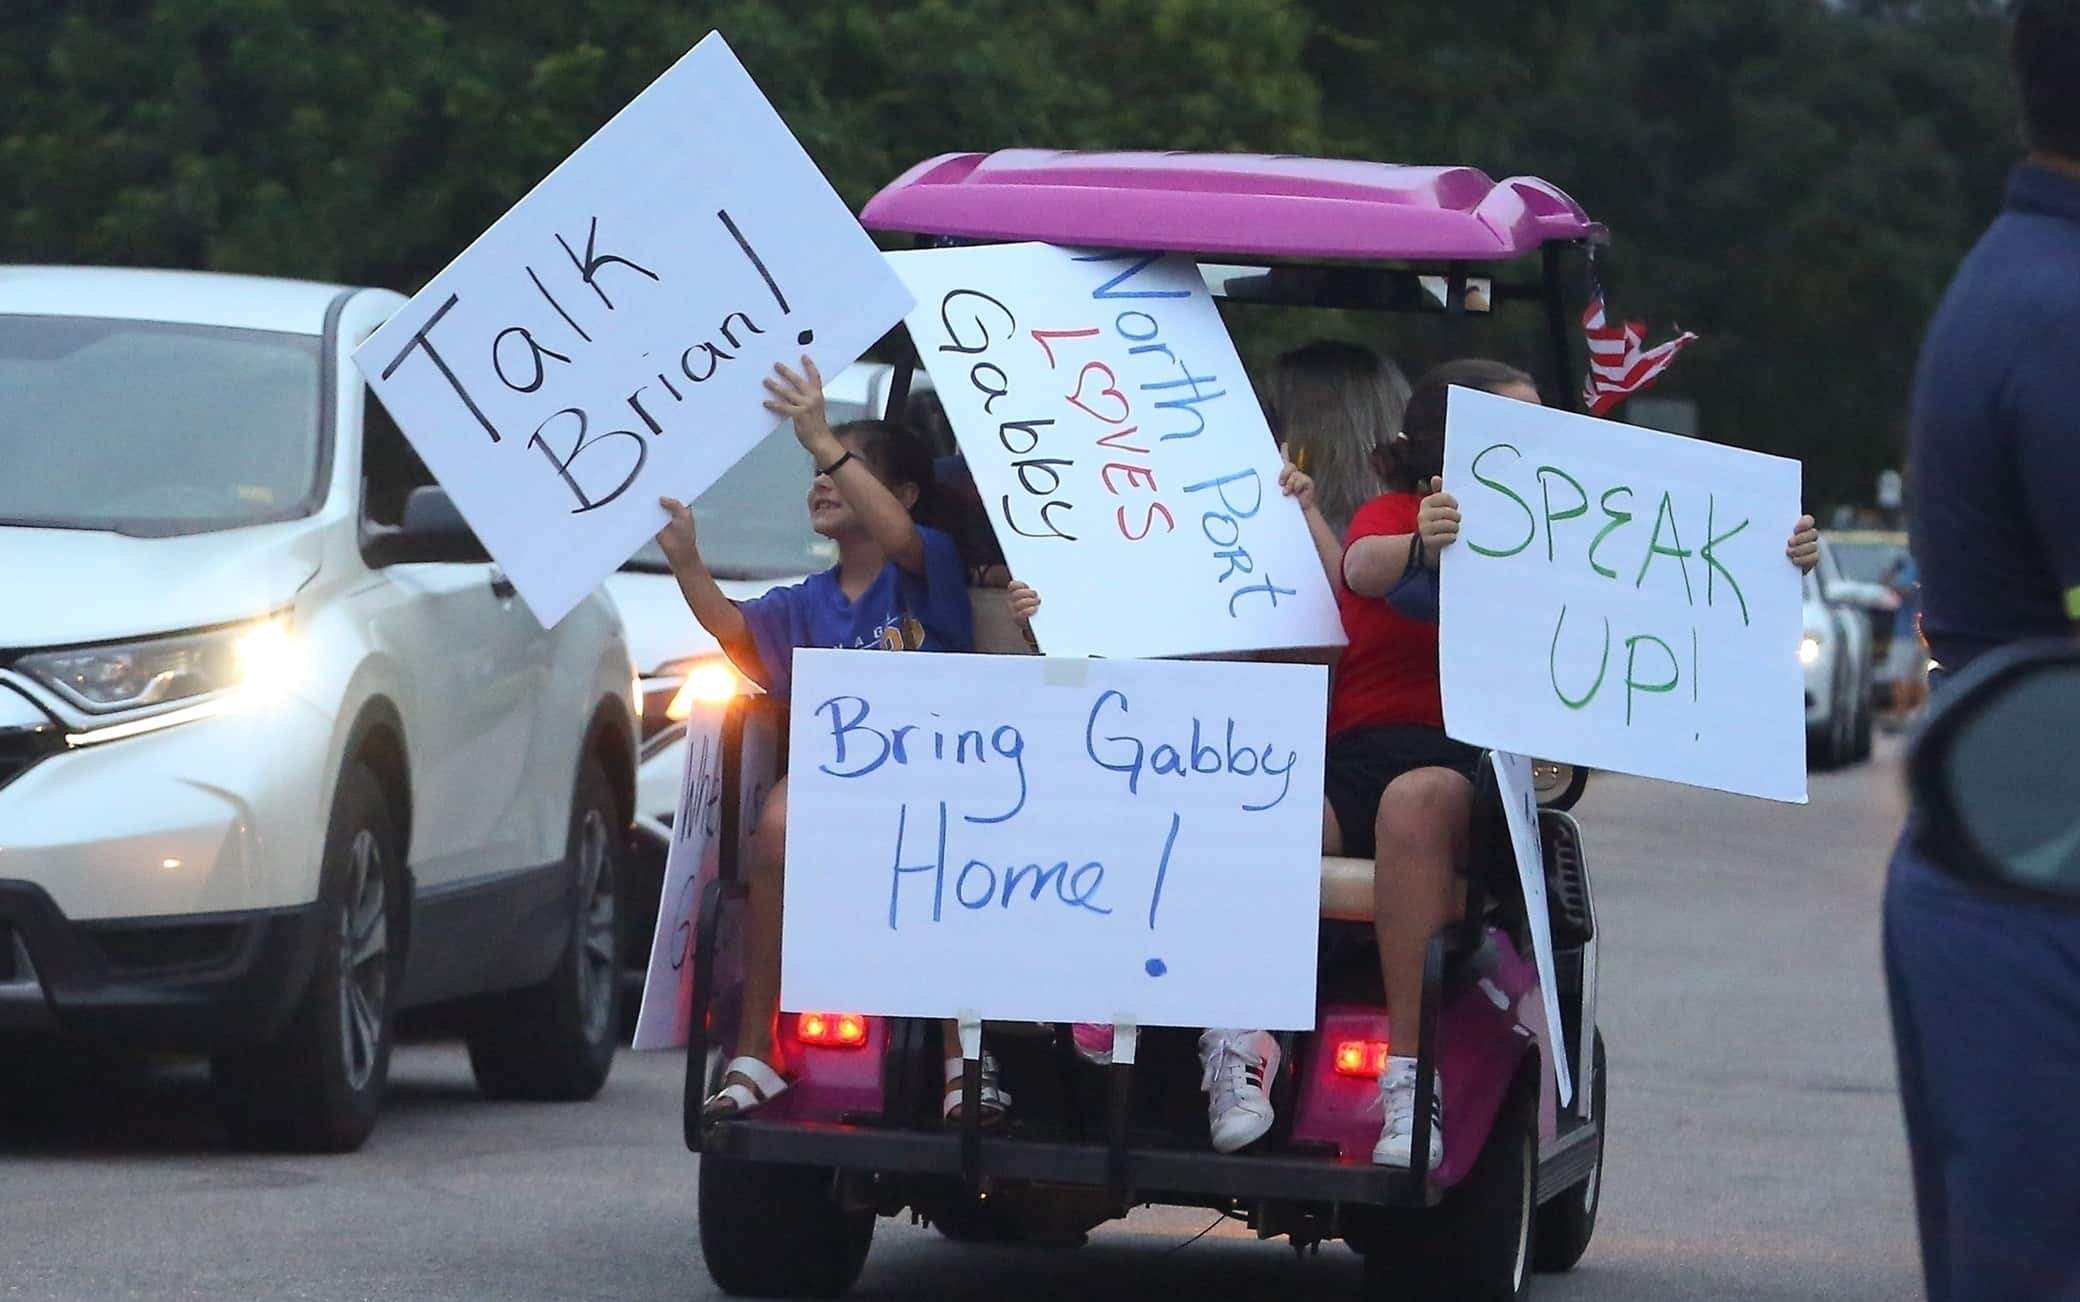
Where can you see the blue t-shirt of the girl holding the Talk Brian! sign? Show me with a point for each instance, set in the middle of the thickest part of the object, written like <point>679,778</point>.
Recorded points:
<point>898,613</point>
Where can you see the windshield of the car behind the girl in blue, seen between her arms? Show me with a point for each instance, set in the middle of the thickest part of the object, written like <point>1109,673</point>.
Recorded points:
<point>754,523</point>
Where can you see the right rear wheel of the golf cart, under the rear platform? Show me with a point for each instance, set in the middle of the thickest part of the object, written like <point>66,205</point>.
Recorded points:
<point>1476,1247</point>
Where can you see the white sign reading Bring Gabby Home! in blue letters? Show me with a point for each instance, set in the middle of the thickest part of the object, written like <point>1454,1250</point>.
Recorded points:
<point>1054,839</point>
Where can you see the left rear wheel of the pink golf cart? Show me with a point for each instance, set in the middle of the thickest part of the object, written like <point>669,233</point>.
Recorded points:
<point>779,1232</point>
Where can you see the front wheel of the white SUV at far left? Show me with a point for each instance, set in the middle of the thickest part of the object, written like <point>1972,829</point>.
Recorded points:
<point>321,1083</point>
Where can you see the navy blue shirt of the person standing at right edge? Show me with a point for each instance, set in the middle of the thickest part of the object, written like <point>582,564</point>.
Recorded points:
<point>1994,442</point>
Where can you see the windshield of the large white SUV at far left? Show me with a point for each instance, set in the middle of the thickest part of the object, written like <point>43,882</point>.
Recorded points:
<point>155,429</point>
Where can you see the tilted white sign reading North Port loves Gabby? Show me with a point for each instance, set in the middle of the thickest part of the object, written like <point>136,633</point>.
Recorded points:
<point>1120,450</point>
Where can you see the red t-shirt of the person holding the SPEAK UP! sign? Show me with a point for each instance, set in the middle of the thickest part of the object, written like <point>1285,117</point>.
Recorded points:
<point>1390,669</point>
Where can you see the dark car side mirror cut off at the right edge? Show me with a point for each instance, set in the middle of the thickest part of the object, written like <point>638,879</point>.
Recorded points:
<point>1990,773</point>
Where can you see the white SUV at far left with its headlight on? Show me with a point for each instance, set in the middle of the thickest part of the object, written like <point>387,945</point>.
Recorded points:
<point>280,750</point>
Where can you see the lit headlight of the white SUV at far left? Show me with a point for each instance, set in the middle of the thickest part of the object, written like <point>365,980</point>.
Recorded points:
<point>255,660</point>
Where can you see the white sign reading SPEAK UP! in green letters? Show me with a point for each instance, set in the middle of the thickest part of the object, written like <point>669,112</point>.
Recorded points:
<point>1621,600</point>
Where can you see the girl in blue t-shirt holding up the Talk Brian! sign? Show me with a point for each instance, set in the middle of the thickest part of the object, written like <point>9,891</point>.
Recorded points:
<point>900,585</point>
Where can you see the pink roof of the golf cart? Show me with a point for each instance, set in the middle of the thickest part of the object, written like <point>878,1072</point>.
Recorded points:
<point>1259,205</point>
